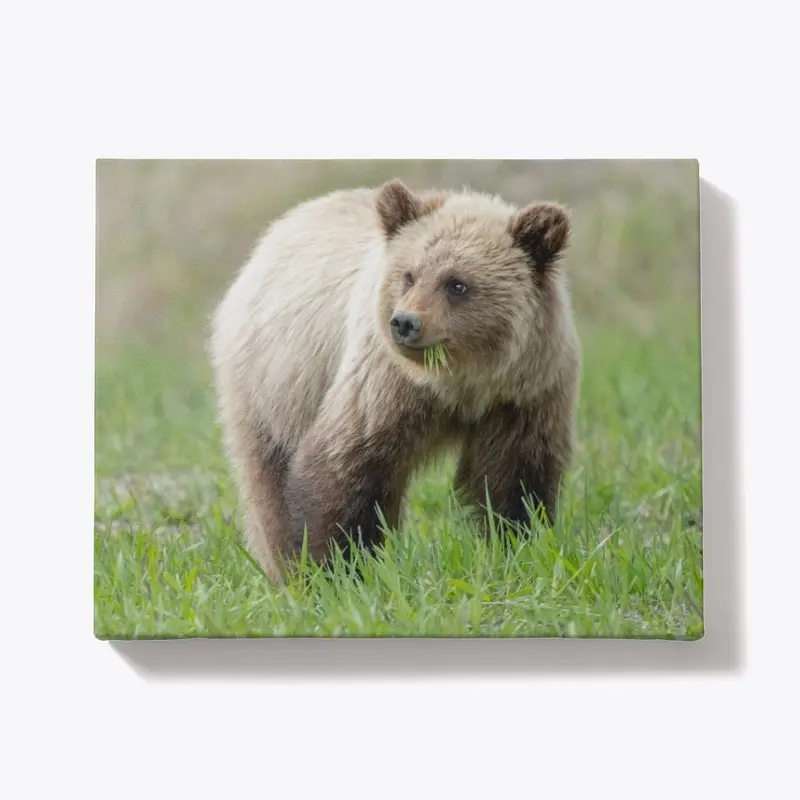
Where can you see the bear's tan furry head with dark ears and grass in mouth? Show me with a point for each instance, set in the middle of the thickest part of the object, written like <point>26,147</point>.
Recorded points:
<point>466,272</point>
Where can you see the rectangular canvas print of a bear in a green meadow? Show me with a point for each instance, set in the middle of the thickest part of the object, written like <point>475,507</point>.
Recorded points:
<point>398,399</point>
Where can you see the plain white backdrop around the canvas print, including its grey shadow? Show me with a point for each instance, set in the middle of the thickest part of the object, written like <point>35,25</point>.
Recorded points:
<point>712,81</point>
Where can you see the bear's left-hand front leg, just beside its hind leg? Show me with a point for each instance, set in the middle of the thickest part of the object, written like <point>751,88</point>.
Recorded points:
<point>348,466</point>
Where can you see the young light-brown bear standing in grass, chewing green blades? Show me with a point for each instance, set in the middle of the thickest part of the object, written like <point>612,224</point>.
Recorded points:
<point>326,398</point>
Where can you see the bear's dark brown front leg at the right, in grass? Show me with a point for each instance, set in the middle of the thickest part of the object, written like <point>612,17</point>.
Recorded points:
<point>517,454</point>
